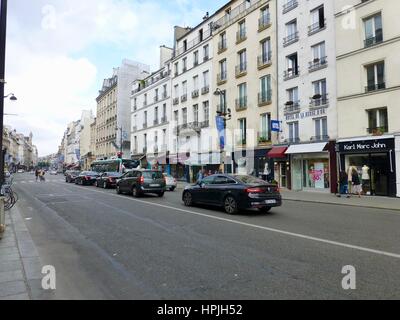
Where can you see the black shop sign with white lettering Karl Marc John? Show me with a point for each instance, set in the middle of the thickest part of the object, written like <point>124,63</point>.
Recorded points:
<point>375,145</point>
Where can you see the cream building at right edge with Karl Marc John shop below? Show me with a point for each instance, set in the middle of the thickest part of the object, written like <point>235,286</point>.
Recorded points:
<point>368,46</point>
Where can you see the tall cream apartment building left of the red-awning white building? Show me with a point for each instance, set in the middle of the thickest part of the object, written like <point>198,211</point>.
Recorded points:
<point>245,64</point>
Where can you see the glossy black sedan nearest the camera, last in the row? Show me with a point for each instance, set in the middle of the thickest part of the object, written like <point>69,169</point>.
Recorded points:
<point>233,193</point>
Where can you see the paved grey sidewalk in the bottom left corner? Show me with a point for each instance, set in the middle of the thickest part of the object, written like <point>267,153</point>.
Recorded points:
<point>20,267</point>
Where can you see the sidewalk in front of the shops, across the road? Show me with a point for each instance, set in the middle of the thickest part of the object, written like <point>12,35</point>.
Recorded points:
<point>328,198</point>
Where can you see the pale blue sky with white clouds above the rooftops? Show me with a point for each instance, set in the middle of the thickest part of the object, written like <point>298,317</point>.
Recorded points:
<point>59,52</point>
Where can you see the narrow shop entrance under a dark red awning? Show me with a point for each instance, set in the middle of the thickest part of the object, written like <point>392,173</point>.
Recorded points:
<point>281,166</point>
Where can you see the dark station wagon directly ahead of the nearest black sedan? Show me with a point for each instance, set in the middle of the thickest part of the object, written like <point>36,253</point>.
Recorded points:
<point>139,182</point>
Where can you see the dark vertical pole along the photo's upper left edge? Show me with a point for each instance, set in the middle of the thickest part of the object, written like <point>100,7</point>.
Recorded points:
<point>3,32</point>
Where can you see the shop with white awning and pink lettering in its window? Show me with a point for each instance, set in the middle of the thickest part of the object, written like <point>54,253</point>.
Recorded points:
<point>313,167</point>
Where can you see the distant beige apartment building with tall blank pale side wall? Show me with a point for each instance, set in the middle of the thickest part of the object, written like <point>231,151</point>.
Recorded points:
<point>114,110</point>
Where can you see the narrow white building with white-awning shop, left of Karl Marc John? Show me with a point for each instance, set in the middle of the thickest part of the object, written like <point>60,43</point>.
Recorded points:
<point>307,96</point>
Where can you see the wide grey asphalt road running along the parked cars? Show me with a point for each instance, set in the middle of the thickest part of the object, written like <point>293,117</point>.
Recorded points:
<point>106,246</point>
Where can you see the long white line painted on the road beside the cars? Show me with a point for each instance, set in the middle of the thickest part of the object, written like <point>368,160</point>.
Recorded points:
<point>292,234</point>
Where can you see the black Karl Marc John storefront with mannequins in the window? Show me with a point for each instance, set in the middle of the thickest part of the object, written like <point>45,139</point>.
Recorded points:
<point>374,160</point>
